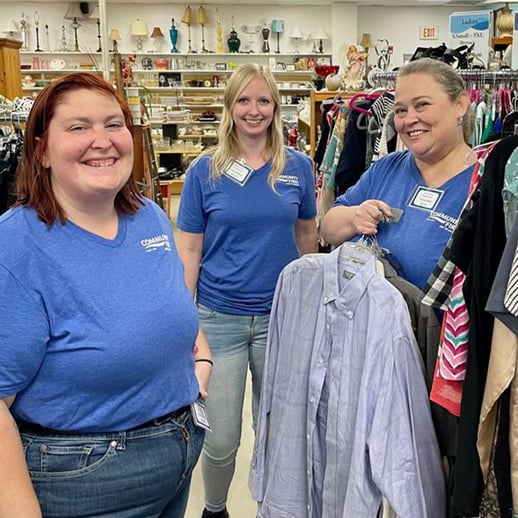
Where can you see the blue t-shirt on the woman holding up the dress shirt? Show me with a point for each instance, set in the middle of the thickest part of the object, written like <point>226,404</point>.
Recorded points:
<point>429,217</point>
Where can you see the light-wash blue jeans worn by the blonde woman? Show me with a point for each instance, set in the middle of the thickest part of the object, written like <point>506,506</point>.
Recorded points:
<point>237,342</point>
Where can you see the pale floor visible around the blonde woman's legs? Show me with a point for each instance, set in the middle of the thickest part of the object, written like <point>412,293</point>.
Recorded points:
<point>240,503</point>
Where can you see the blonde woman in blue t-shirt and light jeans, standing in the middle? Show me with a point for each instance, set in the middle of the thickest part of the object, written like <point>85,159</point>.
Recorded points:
<point>247,210</point>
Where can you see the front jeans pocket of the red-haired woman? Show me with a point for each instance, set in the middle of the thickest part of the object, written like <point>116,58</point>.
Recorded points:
<point>59,458</point>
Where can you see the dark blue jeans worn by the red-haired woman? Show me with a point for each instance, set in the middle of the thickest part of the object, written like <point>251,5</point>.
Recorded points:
<point>140,473</point>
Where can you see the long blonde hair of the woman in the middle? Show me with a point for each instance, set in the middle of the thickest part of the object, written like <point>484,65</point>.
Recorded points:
<point>228,145</point>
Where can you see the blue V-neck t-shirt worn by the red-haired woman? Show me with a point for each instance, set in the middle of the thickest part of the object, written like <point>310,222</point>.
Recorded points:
<point>96,334</point>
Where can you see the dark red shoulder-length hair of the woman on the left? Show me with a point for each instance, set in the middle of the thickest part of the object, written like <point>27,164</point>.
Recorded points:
<point>33,186</point>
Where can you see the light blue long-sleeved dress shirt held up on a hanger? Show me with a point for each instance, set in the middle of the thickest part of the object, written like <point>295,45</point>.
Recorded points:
<point>344,416</point>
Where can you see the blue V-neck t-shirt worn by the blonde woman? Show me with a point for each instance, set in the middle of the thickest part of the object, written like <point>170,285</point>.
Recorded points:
<point>249,231</point>
